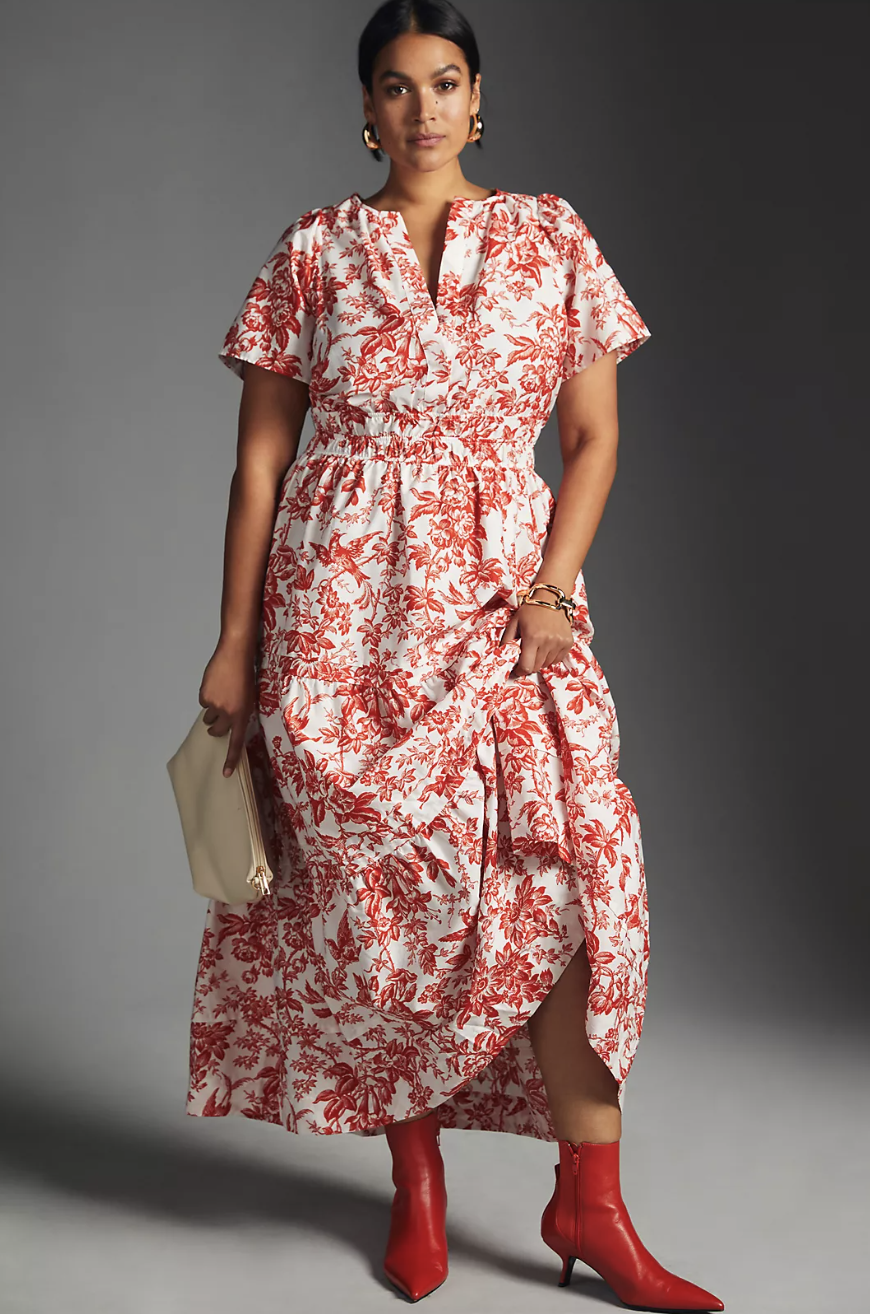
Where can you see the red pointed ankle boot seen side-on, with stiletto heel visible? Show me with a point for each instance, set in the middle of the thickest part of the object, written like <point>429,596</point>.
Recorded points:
<point>587,1219</point>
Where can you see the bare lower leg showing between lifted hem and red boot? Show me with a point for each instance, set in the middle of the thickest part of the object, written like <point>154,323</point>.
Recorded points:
<point>582,1091</point>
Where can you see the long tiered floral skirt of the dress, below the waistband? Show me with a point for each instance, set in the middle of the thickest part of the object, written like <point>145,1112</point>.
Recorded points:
<point>445,838</point>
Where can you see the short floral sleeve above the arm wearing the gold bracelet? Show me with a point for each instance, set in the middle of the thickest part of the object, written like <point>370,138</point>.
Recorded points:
<point>600,316</point>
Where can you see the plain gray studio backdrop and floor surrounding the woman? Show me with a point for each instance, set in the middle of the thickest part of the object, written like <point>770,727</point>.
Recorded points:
<point>153,154</point>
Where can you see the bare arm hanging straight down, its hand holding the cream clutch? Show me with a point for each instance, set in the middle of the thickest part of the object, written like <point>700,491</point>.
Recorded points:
<point>271,416</point>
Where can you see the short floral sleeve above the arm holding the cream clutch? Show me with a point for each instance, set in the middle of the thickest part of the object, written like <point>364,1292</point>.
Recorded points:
<point>275,325</point>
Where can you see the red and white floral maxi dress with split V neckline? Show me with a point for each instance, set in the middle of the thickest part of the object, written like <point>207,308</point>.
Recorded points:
<point>445,838</point>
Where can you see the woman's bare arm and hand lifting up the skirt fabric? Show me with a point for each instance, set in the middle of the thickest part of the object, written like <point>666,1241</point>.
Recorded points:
<point>588,436</point>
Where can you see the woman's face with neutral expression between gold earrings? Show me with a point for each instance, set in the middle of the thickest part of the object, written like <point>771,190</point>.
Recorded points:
<point>423,102</point>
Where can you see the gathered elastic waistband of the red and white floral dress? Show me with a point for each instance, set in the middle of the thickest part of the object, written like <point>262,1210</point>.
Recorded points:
<point>424,438</point>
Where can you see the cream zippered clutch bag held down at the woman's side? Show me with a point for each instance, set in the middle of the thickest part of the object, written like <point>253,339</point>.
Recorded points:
<point>220,819</point>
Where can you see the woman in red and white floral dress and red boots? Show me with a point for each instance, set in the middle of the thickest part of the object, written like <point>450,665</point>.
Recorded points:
<point>458,936</point>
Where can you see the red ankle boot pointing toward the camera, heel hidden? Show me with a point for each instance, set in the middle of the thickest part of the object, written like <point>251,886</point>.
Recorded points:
<point>416,1258</point>
